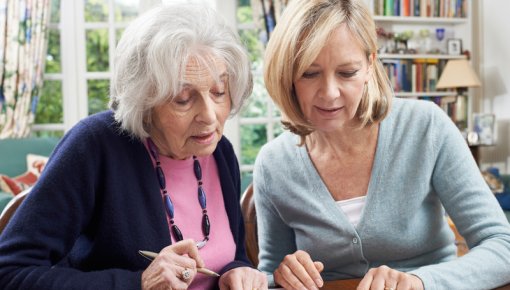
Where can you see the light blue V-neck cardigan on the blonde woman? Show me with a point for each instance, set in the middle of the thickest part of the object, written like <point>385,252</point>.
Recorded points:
<point>422,164</point>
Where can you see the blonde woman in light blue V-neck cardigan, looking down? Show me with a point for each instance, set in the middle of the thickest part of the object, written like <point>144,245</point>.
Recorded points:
<point>365,193</point>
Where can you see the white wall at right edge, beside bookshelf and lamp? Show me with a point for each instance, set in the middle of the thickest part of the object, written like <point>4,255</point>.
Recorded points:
<point>494,65</point>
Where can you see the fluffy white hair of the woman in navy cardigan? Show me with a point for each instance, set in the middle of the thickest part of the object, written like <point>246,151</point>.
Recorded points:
<point>151,58</point>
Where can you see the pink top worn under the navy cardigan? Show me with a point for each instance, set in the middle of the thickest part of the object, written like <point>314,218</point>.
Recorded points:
<point>182,187</point>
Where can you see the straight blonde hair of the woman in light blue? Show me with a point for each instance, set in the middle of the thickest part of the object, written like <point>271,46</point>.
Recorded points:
<point>302,32</point>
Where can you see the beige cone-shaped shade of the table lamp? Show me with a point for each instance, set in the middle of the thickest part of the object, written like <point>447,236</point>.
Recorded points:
<point>458,73</point>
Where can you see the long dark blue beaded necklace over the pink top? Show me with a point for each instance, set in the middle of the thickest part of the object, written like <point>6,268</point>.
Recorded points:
<point>169,206</point>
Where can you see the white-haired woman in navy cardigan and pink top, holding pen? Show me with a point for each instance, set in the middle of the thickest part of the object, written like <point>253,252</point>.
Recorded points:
<point>155,173</point>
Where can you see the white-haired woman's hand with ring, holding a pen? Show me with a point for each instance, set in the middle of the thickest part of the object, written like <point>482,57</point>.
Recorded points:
<point>173,268</point>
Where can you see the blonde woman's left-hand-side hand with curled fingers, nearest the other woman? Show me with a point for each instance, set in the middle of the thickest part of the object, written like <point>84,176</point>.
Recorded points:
<point>298,271</point>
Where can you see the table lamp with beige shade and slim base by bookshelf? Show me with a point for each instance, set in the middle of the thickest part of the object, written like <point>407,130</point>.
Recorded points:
<point>459,74</point>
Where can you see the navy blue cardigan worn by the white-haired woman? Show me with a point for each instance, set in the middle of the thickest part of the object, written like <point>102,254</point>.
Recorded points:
<point>96,204</point>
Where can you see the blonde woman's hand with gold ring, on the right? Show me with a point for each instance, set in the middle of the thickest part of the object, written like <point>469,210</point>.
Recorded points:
<point>386,278</point>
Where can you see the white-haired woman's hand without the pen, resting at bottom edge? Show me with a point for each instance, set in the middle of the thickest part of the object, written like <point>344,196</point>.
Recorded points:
<point>243,278</point>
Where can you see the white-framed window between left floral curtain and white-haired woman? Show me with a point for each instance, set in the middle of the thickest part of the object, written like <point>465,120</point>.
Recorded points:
<point>80,53</point>
